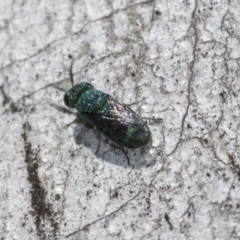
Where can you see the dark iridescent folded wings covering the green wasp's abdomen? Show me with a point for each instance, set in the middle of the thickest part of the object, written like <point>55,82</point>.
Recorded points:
<point>119,123</point>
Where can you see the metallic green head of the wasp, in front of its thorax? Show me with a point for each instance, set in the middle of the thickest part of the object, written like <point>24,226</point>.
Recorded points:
<point>71,96</point>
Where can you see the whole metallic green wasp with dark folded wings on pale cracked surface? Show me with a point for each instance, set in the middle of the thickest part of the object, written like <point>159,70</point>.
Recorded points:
<point>117,121</point>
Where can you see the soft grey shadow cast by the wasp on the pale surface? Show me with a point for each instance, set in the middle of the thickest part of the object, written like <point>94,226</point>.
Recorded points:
<point>104,148</point>
